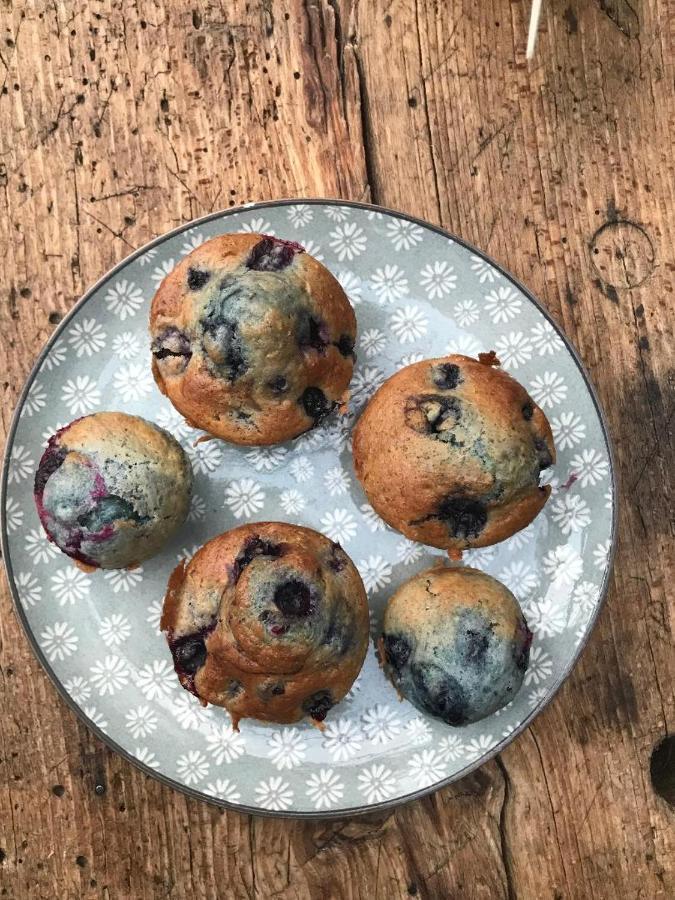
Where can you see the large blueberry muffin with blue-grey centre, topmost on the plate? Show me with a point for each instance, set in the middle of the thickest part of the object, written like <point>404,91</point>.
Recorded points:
<point>252,339</point>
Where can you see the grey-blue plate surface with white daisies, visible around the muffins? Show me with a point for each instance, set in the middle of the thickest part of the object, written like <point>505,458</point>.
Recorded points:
<point>417,293</point>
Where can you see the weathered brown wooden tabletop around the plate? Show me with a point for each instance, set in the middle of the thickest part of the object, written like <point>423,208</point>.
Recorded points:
<point>124,118</point>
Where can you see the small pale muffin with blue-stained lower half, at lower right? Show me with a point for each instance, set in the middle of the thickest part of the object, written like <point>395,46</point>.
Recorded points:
<point>455,644</point>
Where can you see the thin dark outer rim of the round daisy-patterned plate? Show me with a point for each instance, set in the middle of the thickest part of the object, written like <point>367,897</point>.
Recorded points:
<point>165,779</point>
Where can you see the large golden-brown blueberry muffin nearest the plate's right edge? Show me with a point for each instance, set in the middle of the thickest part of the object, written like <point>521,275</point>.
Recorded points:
<point>449,452</point>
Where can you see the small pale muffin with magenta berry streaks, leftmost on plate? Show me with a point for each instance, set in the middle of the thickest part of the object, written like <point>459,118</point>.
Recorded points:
<point>111,489</point>
